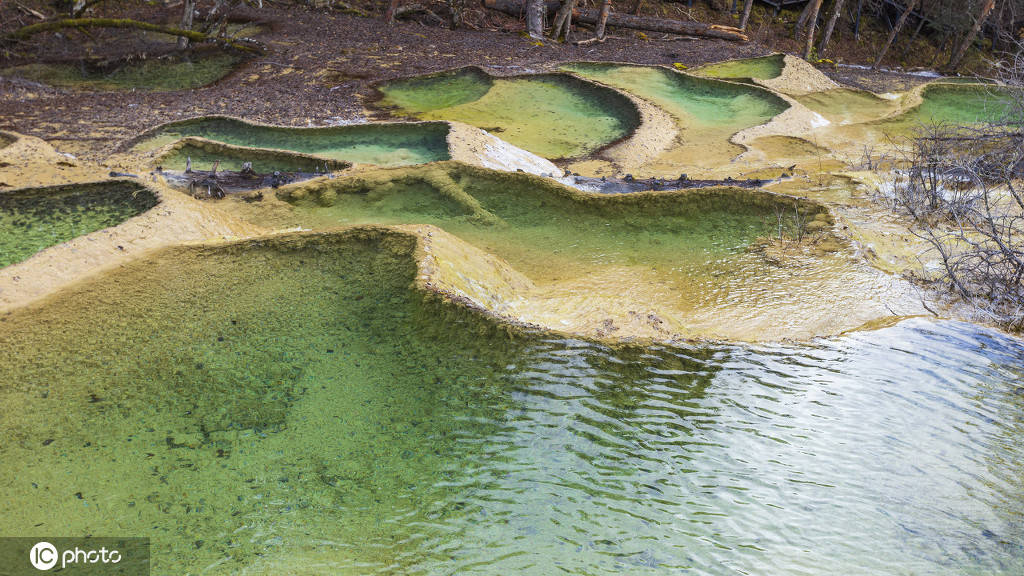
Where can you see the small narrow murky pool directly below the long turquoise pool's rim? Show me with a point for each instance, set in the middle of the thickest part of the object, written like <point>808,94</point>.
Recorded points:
<point>232,159</point>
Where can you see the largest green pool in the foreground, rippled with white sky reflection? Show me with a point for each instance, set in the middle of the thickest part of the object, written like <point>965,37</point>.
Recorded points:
<point>292,406</point>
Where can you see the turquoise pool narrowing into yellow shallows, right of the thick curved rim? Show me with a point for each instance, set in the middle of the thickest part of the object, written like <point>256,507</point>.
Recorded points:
<point>709,112</point>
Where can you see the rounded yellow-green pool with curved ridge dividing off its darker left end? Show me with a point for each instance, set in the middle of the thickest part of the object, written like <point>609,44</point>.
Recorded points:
<point>554,116</point>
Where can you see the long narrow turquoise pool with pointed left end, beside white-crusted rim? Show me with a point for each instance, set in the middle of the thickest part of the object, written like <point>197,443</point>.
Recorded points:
<point>385,145</point>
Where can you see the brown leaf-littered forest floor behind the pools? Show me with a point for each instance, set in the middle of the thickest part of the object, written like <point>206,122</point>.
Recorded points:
<point>319,68</point>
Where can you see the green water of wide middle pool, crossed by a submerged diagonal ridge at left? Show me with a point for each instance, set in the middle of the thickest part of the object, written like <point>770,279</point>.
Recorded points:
<point>549,235</point>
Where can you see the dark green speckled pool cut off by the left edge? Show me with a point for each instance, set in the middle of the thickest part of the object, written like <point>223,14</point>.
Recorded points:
<point>32,220</point>
